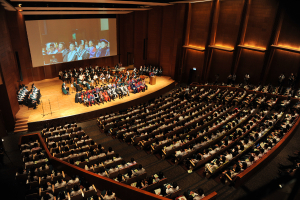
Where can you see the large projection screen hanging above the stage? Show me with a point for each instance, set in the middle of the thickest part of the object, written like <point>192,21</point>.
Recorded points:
<point>67,40</point>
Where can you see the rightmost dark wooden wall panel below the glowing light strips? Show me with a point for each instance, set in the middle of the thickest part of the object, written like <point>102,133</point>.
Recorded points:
<point>283,62</point>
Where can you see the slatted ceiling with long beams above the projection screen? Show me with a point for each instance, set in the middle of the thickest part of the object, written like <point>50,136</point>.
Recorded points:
<point>83,7</point>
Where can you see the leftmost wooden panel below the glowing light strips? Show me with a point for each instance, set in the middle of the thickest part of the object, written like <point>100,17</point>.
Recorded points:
<point>194,59</point>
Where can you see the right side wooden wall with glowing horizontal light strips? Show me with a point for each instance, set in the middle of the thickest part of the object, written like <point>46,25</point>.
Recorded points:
<point>259,37</point>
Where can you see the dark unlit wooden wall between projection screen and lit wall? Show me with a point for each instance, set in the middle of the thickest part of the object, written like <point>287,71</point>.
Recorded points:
<point>153,37</point>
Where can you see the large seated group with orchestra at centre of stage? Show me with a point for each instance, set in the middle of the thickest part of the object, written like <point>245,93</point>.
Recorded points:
<point>112,83</point>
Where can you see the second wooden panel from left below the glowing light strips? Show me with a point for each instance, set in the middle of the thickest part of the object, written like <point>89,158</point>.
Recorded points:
<point>221,62</point>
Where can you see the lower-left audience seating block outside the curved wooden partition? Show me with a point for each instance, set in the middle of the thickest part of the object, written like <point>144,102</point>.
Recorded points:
<point>43,181</point>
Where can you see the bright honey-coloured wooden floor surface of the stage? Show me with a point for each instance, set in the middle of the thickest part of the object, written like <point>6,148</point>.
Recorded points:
<point>64,105</point>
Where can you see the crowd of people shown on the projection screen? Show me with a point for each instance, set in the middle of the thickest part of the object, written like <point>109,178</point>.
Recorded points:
<point>84,50</point>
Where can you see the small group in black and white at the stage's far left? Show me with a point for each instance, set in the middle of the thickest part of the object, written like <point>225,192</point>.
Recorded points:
<point>29,98</point>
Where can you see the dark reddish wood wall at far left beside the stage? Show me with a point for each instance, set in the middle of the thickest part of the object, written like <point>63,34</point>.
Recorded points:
<point>9,103</point>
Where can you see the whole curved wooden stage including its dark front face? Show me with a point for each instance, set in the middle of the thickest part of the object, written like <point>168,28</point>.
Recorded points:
<point>64,109</point>
